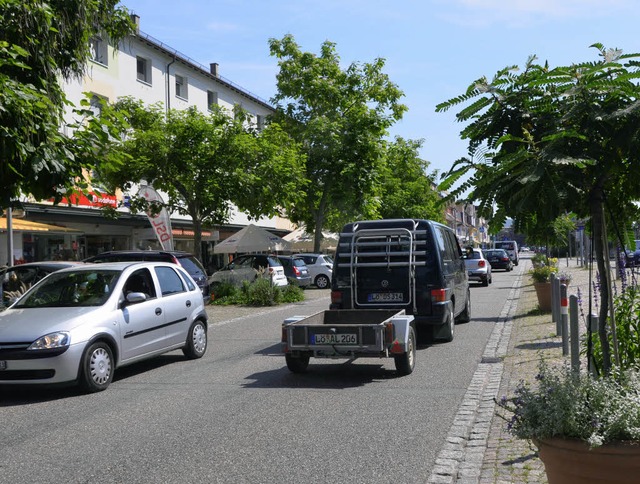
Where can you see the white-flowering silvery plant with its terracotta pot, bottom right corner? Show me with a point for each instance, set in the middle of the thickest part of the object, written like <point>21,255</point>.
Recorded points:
<point>579,423</point>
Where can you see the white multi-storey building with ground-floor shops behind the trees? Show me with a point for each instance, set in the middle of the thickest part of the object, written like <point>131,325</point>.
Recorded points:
<point>146,69</point>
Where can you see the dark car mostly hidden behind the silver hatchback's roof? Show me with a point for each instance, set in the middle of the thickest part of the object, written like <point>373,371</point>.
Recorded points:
<point>184,259</point>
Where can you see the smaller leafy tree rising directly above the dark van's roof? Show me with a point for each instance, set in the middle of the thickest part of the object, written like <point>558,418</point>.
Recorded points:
<point>406,190</point>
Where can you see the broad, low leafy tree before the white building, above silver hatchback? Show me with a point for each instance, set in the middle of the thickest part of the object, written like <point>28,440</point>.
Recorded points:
<point>206,162</point>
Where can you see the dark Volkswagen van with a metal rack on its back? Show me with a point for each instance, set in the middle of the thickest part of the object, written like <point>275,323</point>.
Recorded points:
<point>409,264</point>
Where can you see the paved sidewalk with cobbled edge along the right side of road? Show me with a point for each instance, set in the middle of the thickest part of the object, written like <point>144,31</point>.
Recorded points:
<point>478,448</point>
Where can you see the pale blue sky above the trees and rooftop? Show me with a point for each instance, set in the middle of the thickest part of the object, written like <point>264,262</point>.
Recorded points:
<point>434,49</point>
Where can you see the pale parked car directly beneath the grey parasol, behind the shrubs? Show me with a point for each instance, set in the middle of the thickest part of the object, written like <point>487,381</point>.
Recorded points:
<point>249,268</point>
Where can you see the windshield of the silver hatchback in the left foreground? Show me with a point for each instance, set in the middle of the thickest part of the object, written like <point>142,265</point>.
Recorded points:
<point>72,289</point>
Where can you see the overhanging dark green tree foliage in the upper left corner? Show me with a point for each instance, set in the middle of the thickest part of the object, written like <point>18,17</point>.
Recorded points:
<point>41,44</point>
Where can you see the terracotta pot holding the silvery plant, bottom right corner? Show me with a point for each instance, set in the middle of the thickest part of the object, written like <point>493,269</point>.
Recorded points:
<point>572,461</point>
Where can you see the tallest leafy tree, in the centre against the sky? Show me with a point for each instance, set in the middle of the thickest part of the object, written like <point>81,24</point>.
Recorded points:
<point>339,117</point>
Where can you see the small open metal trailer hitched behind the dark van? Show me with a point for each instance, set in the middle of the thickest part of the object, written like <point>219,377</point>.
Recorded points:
<point>351,334</point>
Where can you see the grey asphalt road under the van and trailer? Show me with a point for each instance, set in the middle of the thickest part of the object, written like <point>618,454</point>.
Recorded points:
<point>239,416</point>
